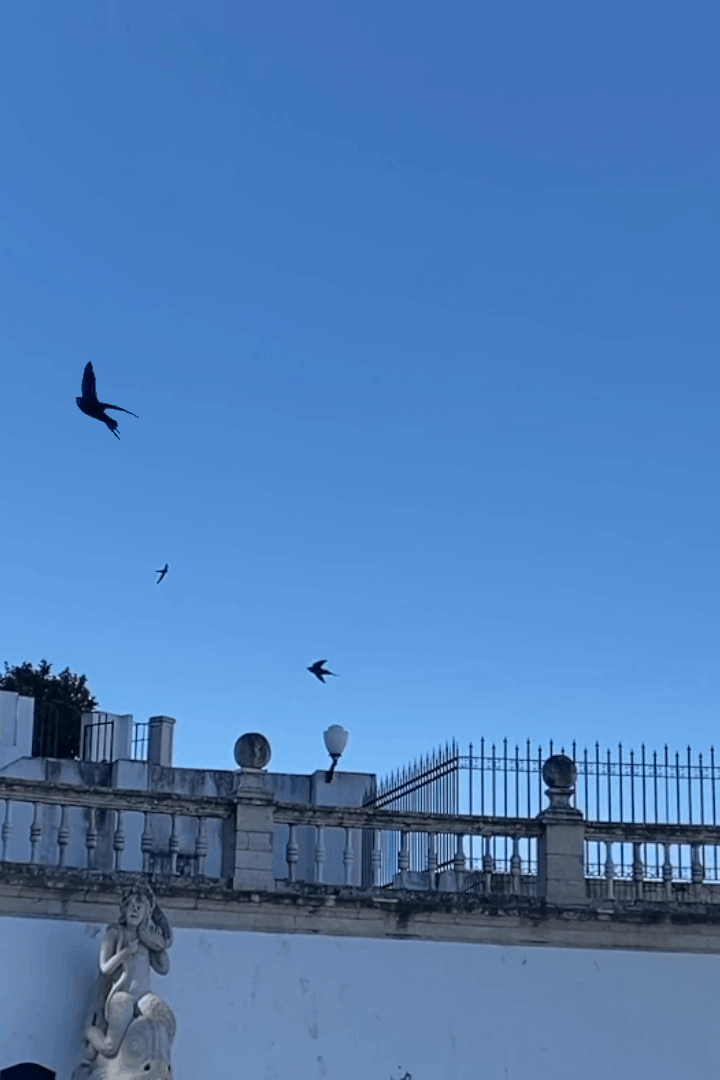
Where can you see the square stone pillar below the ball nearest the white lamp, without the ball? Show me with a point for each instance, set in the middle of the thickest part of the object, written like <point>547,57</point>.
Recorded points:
<point>253,863</point>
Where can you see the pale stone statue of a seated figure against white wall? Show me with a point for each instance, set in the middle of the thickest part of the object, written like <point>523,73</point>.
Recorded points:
<point>131,1030</point>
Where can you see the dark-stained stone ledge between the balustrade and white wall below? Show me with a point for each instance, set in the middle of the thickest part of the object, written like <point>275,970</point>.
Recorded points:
<point>347,912</point>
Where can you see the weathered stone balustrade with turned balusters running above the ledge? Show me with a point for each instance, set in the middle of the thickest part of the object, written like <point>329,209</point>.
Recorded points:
<point>252,842</point>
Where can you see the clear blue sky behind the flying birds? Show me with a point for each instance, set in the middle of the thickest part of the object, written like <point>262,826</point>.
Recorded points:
<point>418,306</point>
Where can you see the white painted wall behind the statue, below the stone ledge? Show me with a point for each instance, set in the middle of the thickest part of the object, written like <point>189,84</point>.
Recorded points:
<point>266,1007</point>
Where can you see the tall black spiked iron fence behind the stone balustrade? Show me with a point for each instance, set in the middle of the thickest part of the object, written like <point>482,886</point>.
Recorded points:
<point>500,780</point>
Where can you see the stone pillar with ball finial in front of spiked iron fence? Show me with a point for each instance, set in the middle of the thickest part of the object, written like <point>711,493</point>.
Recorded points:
<point>562,845</point>
